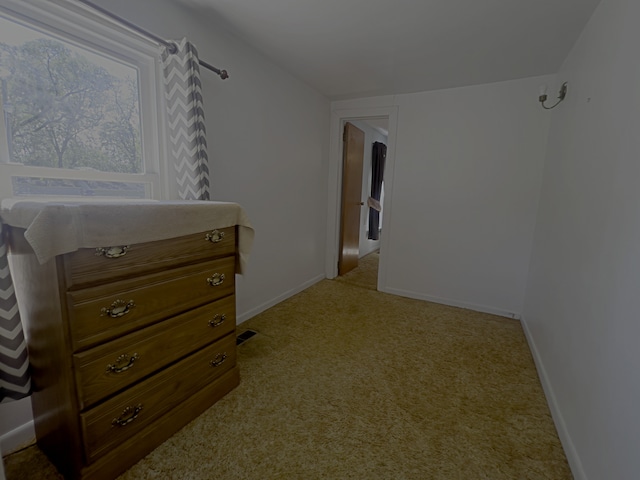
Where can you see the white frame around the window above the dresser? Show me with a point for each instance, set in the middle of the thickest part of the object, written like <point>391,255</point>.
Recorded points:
<point>80,25</point>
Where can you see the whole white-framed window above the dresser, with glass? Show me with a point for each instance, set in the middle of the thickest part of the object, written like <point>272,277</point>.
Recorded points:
<point>78,98</point>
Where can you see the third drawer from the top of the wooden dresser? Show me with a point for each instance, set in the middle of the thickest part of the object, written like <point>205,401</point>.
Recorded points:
<point>108,368</point>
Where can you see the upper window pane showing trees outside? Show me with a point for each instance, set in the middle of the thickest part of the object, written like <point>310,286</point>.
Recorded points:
<point>67,107</point>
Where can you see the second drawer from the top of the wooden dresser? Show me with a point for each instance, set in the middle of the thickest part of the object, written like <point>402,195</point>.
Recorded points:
<point>102,313</point>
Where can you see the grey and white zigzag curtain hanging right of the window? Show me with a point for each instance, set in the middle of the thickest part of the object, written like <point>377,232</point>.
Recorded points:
<point>183,92</point>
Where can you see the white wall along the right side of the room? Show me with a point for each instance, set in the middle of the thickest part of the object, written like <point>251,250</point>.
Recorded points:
<point>582,299</point>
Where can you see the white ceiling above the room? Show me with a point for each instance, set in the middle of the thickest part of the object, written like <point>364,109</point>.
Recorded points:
<point>356,48</point>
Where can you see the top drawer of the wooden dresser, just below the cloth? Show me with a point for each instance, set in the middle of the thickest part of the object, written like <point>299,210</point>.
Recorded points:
<point>91,266</point>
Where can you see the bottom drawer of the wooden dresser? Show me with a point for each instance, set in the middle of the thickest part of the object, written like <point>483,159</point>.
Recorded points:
<point>121,417</point>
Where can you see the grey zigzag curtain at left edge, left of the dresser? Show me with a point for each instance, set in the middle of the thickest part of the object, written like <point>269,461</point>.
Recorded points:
<point>15,381</point>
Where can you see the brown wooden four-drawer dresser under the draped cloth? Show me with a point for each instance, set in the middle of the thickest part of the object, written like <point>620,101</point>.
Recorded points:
<point>128,343</point>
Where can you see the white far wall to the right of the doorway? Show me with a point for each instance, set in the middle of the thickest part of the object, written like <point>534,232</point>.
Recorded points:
<point>467,170</point>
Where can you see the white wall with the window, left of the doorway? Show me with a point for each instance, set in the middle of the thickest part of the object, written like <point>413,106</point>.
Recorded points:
<point>268,144</point>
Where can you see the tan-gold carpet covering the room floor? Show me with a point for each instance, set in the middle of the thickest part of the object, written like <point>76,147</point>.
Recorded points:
<point>344,382</point>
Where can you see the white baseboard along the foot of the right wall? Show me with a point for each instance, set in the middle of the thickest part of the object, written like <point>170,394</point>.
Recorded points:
<point>565,438</point>
